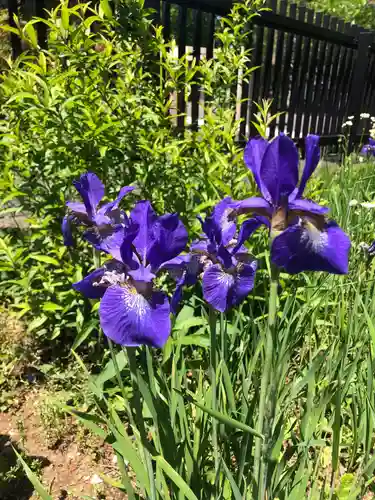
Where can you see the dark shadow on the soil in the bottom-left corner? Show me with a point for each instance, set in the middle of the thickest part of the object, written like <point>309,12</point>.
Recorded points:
<point>14,484</point>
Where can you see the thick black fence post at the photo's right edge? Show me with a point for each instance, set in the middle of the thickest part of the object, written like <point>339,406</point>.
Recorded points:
<point>358,83</point>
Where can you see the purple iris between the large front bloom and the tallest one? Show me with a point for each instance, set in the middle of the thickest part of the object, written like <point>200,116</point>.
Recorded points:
<point>227,269</point>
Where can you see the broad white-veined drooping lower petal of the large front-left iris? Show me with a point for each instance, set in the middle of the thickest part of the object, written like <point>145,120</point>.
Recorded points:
<point>129,319</point>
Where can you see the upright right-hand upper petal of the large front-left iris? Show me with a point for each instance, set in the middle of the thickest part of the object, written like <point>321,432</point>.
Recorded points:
<point>169,237</point>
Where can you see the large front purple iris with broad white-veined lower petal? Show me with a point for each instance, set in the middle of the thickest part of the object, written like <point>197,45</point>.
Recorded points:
<point>131,311</point>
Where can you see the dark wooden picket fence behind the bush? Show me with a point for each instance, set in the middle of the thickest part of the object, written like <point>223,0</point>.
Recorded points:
<point>315,67</point>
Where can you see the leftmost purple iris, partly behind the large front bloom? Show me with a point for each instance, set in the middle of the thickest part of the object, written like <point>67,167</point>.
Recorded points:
<point>104,223</point>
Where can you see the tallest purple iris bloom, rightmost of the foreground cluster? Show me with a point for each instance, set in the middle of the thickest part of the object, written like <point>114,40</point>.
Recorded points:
<point>302,238</point>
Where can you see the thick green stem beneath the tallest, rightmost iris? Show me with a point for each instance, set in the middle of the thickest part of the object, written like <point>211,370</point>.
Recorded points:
<point>265,403</point>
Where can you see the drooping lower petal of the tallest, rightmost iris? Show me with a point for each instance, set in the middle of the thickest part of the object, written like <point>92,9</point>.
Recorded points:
<point>303,247</point>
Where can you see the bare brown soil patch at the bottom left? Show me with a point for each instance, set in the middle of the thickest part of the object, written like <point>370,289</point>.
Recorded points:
<point>67,472</point>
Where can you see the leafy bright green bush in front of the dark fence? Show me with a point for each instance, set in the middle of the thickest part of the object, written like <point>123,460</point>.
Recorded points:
<point>99,99</point>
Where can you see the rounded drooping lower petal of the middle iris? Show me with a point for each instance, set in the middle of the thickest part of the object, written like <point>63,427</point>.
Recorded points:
<point>223,290</point>
